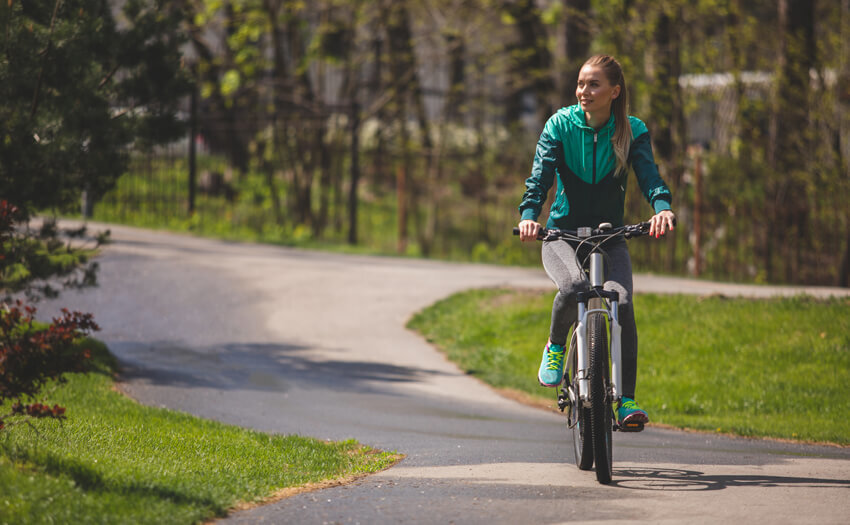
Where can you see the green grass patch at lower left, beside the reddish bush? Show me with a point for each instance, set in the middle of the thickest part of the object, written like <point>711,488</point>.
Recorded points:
<point>115,461</point>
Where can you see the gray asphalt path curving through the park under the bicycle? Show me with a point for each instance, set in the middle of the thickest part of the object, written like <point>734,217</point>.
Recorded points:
<point>291,341</point>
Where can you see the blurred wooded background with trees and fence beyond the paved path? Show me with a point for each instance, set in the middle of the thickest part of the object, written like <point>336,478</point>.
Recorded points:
<point>409,127</point>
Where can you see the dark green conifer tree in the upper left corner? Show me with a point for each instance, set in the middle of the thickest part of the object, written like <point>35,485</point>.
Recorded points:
<point>77,88</point>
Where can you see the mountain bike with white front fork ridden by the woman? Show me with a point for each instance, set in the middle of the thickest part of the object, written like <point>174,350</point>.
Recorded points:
<point>591,389</point>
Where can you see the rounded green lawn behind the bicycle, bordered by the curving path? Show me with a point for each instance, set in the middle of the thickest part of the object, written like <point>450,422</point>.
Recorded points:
<point>775,368</point>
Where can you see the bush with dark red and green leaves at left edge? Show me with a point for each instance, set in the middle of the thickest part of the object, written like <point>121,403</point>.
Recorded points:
<point>31,354</point>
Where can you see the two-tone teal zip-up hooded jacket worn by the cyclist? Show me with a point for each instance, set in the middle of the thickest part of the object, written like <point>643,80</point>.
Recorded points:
<point>582,162</point>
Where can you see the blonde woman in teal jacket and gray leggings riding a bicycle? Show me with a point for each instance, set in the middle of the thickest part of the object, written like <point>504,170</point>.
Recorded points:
<point>587,149</point>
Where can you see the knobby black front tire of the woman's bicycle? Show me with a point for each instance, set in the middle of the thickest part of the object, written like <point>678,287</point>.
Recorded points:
<point>601,414</point>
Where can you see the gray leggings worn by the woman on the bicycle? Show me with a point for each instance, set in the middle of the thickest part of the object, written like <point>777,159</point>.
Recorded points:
<point>560,262</point>
